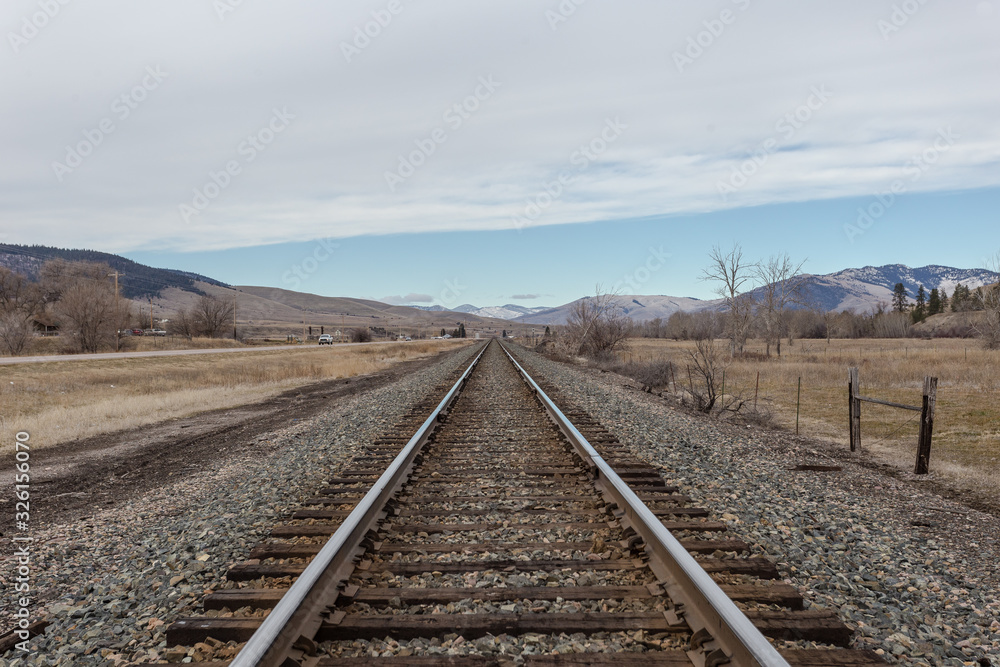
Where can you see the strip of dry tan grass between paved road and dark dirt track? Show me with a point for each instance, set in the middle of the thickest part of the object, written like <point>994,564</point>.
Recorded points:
<point>60,401</point>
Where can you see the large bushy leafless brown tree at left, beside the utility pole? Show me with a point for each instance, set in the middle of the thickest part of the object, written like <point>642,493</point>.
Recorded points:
<point>85,302</point>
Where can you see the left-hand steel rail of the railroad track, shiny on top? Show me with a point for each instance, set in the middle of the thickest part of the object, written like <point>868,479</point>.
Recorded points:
<point>301,608</point>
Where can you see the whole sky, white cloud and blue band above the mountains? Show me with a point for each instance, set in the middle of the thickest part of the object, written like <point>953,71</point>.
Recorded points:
<point>519,151</point>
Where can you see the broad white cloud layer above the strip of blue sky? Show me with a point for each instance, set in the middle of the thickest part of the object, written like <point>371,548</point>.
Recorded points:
<point>324,175</point>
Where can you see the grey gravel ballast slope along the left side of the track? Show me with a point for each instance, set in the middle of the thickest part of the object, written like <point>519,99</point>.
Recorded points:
<point>114,581</point>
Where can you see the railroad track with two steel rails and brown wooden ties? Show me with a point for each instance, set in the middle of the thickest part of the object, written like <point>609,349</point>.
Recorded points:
<point>495,531</point>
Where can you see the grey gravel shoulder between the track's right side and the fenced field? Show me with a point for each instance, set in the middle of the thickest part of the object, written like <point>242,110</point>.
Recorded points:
<point>914,571</point>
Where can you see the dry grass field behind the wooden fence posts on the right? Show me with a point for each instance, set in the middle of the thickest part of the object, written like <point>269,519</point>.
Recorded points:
<point>966,445</point>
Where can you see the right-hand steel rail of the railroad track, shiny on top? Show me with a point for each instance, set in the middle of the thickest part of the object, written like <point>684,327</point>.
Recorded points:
<point>705,607</point>
